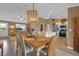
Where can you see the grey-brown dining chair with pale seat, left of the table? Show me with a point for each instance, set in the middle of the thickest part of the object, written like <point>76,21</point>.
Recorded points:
<point>23,49</point>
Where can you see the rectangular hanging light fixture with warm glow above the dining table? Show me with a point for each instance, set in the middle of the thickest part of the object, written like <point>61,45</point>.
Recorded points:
<point>32,15</point>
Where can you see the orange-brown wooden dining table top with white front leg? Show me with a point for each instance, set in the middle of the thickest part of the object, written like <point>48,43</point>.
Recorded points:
<point>37,43</point>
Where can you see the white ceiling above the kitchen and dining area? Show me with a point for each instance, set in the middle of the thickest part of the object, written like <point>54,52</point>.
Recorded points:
<point>10,11</point>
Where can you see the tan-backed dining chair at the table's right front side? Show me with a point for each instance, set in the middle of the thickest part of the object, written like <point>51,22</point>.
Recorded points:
<point>49,50</point>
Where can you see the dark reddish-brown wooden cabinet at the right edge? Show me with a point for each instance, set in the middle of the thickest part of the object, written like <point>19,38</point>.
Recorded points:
<point>76,34</point>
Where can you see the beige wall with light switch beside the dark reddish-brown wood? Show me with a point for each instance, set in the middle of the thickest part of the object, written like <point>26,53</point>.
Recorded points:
<point>72,12</point>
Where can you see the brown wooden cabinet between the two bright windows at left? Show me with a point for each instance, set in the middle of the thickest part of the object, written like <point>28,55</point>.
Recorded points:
<point>11,29</point>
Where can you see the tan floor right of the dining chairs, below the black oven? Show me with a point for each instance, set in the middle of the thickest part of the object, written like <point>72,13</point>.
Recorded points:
<point>61,48</point>
